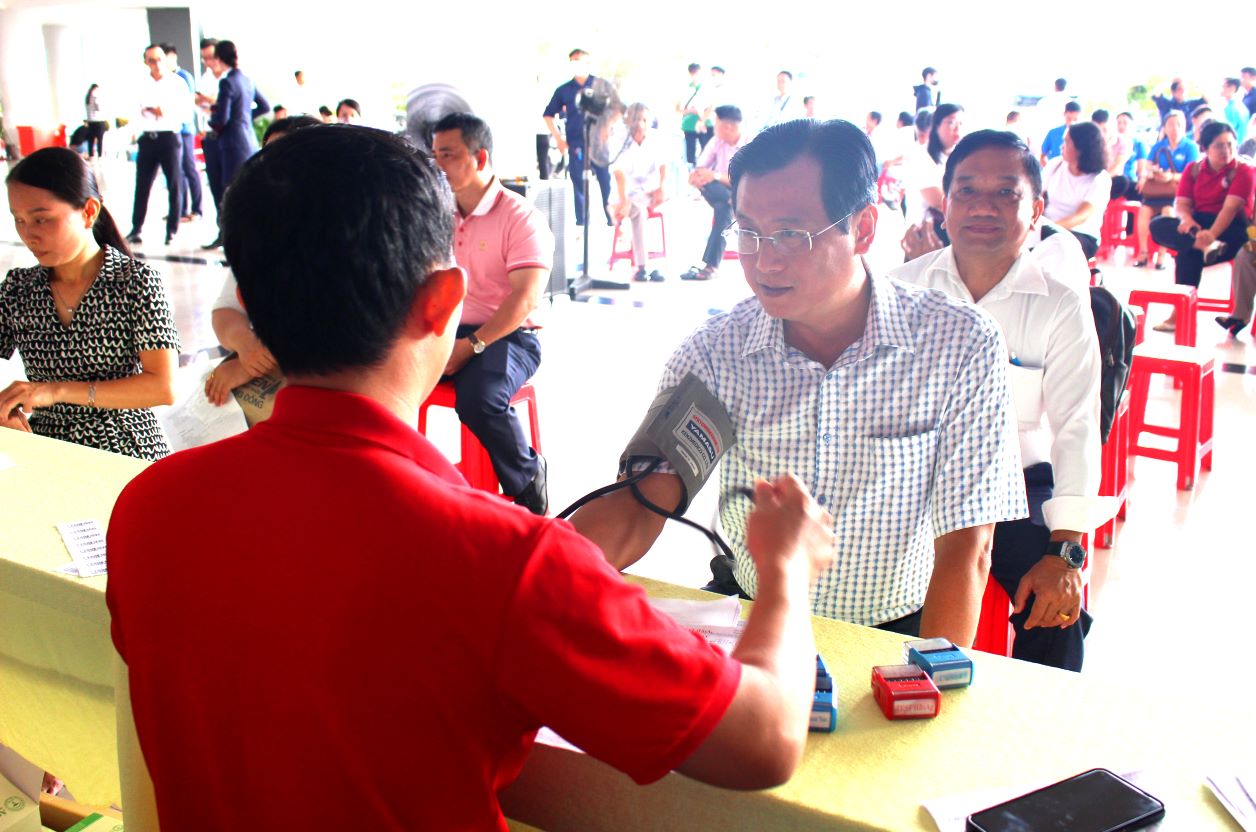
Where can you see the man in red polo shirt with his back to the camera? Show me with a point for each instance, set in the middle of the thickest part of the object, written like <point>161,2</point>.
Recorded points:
<point>380,642</point>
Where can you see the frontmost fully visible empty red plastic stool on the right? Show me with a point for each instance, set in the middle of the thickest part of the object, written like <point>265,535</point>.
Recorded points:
<point>1194,433</point>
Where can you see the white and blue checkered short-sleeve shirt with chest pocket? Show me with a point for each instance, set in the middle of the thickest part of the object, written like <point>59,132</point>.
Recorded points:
<point>907,437</point>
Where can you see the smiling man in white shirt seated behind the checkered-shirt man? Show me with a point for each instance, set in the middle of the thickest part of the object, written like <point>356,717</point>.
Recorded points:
<point>993,203</point>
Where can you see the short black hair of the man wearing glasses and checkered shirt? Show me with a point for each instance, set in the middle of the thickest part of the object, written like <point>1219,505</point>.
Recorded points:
<point>848,167</point>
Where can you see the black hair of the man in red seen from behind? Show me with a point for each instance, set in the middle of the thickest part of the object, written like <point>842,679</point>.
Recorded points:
<point>331,234</point>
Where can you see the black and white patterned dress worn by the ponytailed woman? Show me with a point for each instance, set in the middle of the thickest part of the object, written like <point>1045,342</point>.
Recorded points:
<point>124,314</point>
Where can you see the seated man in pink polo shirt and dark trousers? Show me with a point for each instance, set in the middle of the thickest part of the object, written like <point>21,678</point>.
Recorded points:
<point>507,249</point>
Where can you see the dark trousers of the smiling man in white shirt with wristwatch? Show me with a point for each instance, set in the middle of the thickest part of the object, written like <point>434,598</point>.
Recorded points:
<point>1019,545</point>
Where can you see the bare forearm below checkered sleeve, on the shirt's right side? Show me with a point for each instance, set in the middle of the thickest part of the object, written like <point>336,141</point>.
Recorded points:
<point>961,566</point>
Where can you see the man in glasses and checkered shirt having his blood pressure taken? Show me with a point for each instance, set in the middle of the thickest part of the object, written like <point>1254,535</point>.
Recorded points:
<point>889,402</point>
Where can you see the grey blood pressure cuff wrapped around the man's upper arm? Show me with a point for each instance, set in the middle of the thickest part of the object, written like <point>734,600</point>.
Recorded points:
<point>686,427</point>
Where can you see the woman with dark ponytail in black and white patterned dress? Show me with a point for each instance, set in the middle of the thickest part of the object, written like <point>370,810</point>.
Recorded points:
<point>96,334</point>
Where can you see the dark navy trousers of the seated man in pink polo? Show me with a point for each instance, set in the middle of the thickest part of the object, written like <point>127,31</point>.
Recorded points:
<point>484,389</point>
